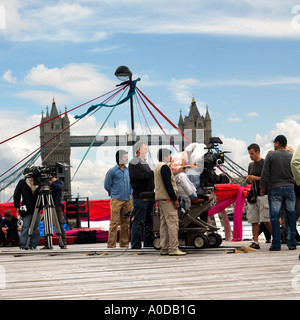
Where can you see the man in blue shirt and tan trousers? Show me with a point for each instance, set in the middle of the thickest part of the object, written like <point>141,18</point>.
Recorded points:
<point>117,184</point>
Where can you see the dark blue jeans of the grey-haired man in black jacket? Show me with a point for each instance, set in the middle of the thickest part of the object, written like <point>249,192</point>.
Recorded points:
<point>142,223</point>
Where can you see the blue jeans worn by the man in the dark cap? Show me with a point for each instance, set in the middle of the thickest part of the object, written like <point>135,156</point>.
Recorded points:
<point>282,196</point>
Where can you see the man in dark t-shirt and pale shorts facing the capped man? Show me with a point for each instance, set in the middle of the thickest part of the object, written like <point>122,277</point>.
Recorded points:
<point>257,212</point>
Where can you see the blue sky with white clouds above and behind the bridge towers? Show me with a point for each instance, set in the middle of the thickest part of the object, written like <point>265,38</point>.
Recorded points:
<point>238,57</point>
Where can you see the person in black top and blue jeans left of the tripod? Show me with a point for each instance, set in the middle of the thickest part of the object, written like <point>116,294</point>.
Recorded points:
<point>28,192</point>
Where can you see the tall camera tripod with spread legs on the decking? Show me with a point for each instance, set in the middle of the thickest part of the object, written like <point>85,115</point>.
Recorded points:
<point>45,199</point>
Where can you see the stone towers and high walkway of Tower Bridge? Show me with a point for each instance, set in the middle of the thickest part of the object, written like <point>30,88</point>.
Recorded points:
<point>194,126</point>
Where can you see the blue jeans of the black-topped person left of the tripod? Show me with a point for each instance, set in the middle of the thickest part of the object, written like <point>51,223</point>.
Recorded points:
<point>34,241</point>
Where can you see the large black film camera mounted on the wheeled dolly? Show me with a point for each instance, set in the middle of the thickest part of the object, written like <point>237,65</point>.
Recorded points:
<point>213,158</point>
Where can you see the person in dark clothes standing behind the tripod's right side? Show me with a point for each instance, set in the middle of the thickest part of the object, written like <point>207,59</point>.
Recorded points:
<point>56,187</point>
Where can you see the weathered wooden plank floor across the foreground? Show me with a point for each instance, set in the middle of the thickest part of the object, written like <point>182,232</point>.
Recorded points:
<point>118,275</point>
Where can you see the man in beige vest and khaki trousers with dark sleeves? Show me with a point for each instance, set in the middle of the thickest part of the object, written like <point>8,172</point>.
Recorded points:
<point>166,197</point>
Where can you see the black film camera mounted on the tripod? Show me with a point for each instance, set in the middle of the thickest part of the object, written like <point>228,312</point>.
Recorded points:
<point>41,175</point>
